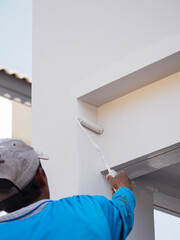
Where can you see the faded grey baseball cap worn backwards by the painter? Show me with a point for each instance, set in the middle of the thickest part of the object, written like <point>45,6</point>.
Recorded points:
<point>18,164</point>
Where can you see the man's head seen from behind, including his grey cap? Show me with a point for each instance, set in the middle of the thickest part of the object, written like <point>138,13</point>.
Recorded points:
<point>22,179</point>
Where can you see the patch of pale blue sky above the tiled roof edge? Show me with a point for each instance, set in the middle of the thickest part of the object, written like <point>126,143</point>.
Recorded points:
<point>16,36</point>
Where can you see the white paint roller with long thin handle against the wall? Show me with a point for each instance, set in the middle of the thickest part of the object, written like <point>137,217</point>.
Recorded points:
<point>84,123</point>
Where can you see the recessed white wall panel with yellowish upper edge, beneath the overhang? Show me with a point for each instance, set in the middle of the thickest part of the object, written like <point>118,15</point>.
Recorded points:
<point>141,122</point>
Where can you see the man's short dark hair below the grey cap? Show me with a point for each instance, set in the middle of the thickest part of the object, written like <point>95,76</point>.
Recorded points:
<point>21,199</point>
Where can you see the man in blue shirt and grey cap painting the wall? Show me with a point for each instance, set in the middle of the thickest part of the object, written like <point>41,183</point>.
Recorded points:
<point>24,196</point>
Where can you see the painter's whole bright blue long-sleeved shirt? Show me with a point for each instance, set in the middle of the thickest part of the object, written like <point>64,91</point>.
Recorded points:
<point>78,218</point>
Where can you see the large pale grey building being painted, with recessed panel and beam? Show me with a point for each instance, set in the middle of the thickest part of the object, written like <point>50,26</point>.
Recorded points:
<point>116,64</point>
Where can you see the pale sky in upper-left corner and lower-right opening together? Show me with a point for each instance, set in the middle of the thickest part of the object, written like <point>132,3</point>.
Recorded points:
<point>16,55</point>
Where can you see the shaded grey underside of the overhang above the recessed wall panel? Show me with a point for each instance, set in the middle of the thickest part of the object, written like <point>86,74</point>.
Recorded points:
<point>133,81</point>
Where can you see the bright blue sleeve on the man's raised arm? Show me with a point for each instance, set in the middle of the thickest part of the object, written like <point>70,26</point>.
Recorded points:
<point>119,212</point>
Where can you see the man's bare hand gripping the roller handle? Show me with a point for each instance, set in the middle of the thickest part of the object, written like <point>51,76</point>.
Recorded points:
<point>120,180</point>
